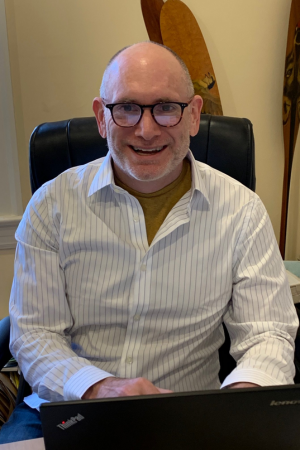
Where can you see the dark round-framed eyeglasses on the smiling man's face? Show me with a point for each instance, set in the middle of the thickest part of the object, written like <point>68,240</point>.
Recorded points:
<point>165,114</point>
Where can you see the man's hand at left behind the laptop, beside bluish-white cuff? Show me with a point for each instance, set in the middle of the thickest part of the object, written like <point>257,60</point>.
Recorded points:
<point>122,387</point>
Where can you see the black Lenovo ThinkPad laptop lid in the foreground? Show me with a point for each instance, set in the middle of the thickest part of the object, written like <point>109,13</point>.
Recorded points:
<point>233,419</point>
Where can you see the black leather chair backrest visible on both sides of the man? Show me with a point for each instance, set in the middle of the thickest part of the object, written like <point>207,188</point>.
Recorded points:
<point>225,143</point>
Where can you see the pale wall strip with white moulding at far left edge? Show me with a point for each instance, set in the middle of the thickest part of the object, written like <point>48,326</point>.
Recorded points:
<point>10,199</point>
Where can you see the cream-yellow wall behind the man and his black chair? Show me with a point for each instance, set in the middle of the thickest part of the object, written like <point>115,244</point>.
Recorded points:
<point>59,49</point>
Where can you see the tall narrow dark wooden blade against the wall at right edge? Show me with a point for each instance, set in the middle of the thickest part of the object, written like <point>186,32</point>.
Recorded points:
<point>290,111</point>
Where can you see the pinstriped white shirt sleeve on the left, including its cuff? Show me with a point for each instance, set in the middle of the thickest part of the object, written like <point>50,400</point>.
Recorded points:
<point>41,320</point>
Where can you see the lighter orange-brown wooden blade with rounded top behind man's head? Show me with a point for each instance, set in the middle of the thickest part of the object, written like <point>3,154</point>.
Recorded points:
<point>180,31</point>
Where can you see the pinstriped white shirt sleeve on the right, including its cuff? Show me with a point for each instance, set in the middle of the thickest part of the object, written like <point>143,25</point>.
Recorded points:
<point>261,320</point>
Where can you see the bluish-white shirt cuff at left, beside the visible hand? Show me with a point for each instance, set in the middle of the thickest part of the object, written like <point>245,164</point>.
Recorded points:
<point>79,383</point>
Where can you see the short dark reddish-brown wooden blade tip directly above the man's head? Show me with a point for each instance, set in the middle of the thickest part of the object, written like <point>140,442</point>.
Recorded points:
<point>151,12</point>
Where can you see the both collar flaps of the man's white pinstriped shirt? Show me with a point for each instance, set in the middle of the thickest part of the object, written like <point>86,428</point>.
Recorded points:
<point>105,176</point>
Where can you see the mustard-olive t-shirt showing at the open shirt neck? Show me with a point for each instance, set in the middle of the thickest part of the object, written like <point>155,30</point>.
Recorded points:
<point>157,205</point>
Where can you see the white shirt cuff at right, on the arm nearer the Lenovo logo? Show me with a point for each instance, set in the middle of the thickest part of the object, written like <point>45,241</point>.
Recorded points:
<point>250,376</point>
